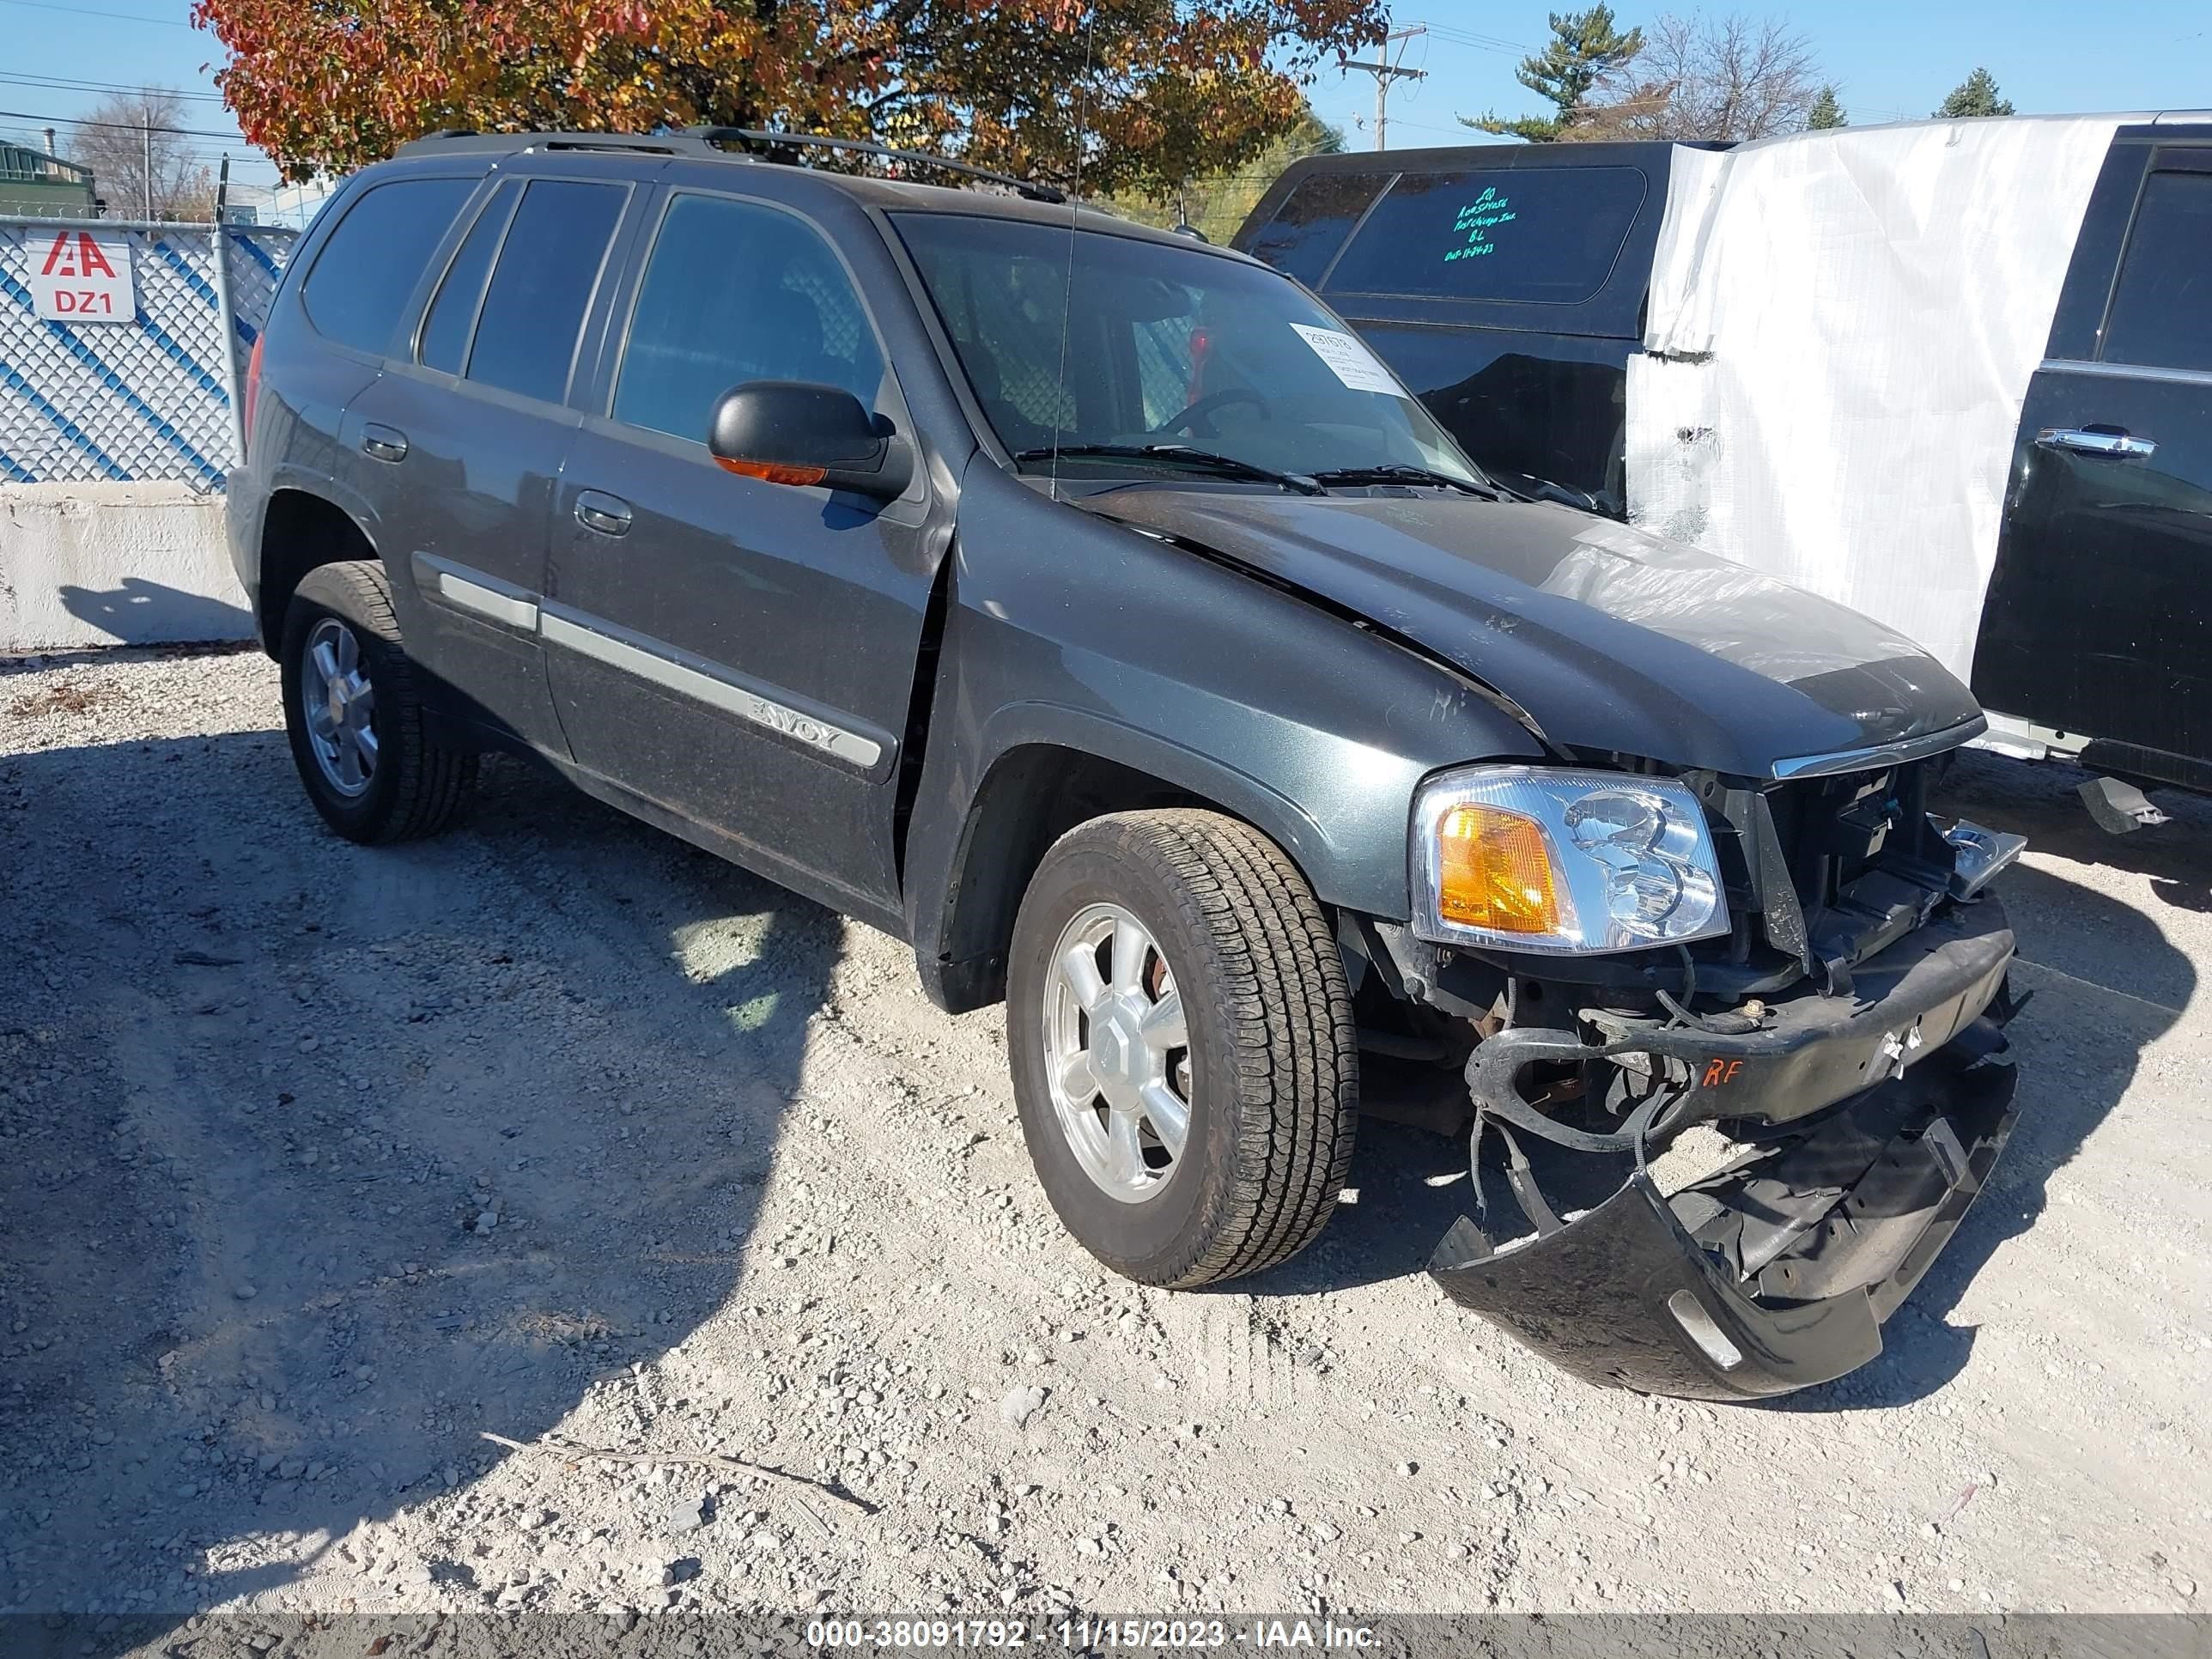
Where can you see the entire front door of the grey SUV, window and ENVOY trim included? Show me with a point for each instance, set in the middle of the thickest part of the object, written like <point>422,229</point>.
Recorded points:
<point>738,651</point>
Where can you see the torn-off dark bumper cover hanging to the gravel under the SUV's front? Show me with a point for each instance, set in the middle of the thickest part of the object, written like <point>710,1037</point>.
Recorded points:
<point>1768,1275</point>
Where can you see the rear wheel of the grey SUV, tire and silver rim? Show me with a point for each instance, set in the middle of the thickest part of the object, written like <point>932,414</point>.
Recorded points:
<point>355,716</point>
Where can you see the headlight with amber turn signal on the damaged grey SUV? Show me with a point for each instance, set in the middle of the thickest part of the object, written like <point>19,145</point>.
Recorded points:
<point>1563,864</point>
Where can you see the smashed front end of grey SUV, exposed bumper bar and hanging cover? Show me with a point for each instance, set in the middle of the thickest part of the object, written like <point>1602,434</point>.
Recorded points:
<point>1846,1039</point>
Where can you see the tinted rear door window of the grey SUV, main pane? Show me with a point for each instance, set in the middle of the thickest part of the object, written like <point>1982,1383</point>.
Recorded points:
<point>543,286</point>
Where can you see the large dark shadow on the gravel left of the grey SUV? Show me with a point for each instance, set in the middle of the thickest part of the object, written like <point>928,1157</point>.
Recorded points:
<point>328,1160</point>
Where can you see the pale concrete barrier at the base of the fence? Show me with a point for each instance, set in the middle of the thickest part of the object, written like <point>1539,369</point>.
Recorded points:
<point>116,565</point>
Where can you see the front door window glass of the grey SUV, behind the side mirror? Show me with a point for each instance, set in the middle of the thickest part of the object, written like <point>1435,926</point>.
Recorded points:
<point>738,293</point>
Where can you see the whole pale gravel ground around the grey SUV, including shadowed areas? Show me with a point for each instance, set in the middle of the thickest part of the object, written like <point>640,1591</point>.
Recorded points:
<point>320,1165</point>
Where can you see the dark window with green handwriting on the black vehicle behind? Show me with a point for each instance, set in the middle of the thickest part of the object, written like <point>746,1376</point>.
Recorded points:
<point>1543,236</point>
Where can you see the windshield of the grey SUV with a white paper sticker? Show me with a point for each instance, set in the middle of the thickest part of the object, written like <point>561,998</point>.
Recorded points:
<point>1169,346</point>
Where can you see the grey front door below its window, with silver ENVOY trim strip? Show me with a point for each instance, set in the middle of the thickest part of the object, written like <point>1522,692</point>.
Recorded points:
<point>742,654</point>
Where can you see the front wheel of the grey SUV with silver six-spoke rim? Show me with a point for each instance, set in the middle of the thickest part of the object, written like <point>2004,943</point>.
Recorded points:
<point>1182,1047</point>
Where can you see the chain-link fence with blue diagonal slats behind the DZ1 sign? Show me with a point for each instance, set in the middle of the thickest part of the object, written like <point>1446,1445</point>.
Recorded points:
<point>143,399</point>
